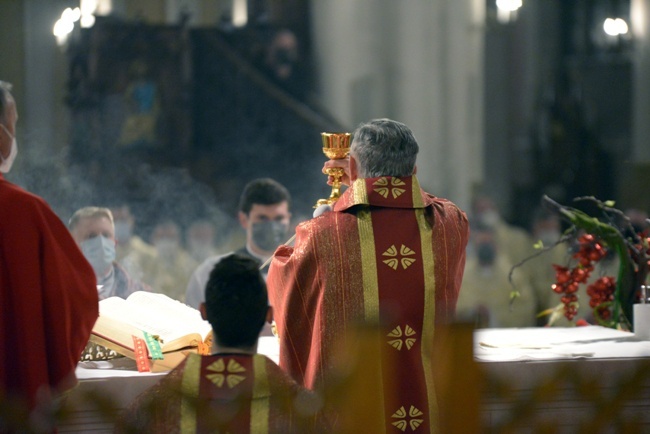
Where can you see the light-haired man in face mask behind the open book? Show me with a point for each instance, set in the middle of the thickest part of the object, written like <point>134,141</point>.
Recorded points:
<point>94,231</point>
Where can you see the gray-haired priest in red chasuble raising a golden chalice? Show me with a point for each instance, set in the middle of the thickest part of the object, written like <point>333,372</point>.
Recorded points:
<point>388,253</point>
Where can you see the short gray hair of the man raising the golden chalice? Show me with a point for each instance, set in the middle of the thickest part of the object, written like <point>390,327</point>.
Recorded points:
<point>383,147</point>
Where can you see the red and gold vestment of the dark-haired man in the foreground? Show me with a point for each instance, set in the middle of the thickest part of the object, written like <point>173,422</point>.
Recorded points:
<point>230,393</point>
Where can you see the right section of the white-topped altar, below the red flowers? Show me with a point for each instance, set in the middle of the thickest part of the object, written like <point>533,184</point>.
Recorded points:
<point>579,379</point>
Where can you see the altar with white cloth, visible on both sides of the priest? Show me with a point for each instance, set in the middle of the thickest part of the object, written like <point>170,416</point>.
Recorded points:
<point>564,379</point>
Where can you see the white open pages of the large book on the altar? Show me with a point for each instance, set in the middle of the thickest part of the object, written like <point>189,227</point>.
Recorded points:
<point>156,314</point>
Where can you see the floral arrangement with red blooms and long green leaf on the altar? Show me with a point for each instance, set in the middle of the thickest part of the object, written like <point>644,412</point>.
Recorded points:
<point>611,297</point>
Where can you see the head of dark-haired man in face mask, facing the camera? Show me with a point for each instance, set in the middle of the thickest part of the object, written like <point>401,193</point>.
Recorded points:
<point>264,214</point>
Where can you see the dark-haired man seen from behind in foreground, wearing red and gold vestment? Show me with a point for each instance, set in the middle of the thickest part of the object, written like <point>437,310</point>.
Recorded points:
<point>233,390</point>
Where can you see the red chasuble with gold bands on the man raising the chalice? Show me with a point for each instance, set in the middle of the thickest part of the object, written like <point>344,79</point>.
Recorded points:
<point>317,287</point>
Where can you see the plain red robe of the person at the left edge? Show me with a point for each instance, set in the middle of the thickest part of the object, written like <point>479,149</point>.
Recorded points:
<point>48,297</point>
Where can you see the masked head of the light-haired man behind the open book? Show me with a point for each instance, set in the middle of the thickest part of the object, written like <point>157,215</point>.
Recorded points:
<point>93,229</point>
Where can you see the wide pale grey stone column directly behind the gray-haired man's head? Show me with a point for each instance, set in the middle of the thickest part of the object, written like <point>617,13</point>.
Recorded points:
<point>419,62</point>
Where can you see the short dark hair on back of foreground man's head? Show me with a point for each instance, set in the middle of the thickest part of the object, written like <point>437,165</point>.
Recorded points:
<point>235,301</point>
